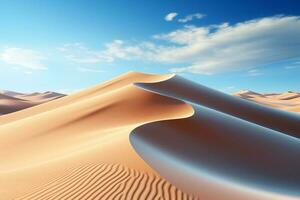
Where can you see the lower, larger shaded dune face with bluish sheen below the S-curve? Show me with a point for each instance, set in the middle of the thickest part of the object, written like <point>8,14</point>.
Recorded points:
<point>213,152</point>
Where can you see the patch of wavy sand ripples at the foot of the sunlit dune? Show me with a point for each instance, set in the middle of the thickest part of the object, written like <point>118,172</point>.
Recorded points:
<point>107,181</point>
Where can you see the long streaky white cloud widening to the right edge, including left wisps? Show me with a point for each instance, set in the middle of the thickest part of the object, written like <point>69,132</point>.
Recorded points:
<point>212,49</point>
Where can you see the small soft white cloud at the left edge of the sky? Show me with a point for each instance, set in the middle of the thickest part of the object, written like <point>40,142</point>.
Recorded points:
<point>24,58</point>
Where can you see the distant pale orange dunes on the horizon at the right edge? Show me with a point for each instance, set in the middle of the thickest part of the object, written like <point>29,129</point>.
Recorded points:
<point>289,101</point>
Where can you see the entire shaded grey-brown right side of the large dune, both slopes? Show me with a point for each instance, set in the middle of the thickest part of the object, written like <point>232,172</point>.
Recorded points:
<point>217,153</point>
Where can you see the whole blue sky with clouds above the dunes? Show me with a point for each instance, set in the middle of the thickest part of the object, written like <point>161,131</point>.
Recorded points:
<point>228,45</point>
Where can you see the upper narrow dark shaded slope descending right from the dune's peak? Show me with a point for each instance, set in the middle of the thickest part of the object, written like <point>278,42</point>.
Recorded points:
<point>186,90</point>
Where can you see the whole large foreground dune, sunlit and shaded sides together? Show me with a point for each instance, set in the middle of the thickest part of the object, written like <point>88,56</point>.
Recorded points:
<point>142,136</point>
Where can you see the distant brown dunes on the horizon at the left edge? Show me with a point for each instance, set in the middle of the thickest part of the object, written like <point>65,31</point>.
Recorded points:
<point>13,101</point>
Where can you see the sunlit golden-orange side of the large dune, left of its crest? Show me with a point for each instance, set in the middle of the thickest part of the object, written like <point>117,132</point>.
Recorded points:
<point>39,145</point>
